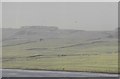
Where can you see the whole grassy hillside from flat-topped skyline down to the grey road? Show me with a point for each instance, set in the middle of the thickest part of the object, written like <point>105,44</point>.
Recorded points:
<point>55,49</point>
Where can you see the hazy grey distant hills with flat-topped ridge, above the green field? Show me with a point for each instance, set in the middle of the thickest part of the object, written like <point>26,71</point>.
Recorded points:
<point>35,33</point>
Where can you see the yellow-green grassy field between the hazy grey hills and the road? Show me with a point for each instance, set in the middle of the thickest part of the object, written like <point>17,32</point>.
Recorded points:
<point>61,54</point>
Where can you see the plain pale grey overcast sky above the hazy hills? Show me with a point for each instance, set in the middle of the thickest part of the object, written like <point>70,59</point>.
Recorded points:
<point>66,15</point>
